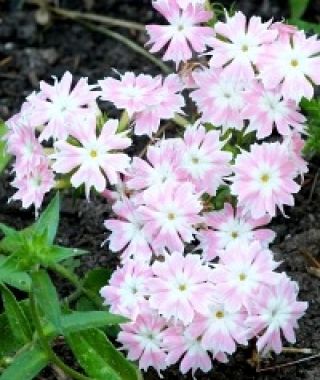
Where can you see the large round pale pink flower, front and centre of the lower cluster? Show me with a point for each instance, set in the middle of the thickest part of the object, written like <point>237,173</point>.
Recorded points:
<point>179,287</point>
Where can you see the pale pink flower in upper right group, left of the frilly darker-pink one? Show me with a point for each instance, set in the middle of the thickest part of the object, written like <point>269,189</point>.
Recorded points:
<point>219,98</point>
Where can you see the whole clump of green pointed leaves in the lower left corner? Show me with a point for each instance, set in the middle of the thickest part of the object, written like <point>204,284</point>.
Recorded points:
<point>31,323</point>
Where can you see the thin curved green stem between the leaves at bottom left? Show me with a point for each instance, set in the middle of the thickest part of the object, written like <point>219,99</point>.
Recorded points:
<point>46,346</point>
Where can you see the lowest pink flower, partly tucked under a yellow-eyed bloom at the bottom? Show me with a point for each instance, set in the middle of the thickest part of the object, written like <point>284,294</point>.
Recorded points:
<point>180,344</point>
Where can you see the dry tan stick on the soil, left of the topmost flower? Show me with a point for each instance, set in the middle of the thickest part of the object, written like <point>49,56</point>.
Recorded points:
<point>98,18</point>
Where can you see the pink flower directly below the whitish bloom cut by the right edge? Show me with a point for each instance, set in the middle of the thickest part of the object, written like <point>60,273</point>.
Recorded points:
<point>266,109</point>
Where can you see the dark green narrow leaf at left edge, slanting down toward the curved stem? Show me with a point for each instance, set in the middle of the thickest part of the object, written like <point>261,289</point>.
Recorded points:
<point>17,319</point>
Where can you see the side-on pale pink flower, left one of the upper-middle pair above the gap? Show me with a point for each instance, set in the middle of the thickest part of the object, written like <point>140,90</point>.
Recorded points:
<point>131,93</point>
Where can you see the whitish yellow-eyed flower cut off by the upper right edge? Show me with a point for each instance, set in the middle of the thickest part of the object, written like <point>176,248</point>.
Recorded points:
<point>292,62</point>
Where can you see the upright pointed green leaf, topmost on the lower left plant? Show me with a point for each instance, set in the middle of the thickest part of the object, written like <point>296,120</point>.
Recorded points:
<point>48,221</point>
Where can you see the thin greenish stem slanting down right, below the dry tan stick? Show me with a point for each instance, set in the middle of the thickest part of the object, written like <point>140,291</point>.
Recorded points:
<point>126,41</point>
